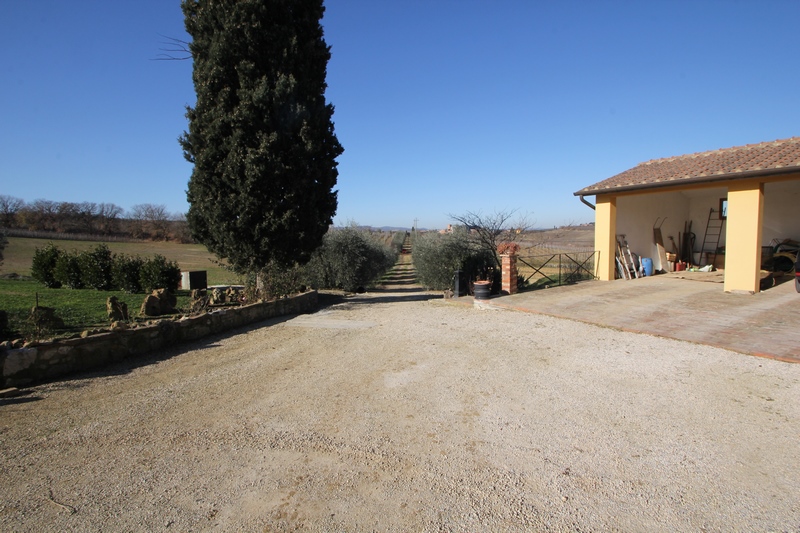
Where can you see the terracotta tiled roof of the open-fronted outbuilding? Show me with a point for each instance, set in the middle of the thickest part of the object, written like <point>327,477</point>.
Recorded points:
<point>725,163</point>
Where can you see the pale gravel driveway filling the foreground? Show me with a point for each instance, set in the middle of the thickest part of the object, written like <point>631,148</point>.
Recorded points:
<point>393,412</point>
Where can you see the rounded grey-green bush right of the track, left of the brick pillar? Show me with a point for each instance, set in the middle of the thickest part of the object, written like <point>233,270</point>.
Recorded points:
<point>437,257</point>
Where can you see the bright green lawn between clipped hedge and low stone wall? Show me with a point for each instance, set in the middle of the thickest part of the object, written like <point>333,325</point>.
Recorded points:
<point>79,309</point>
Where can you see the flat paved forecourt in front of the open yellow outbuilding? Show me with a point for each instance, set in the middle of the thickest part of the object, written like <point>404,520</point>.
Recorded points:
<point>686,306</point>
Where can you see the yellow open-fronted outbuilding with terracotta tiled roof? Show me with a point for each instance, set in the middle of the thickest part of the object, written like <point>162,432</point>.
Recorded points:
<point>750,193</point>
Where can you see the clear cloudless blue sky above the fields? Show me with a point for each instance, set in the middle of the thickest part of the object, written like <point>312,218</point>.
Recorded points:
<point>442,106</point>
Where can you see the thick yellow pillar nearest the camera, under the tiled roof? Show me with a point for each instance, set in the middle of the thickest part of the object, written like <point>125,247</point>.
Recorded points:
<point>743,243</point>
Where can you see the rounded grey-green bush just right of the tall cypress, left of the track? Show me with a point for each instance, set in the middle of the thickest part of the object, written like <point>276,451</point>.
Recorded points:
<point>348,259</point>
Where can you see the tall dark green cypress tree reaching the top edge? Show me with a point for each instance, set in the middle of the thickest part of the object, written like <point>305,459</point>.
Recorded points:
<point>261,135</point>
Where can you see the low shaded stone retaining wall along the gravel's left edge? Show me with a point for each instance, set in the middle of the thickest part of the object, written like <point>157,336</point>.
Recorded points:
<point>38,362</point>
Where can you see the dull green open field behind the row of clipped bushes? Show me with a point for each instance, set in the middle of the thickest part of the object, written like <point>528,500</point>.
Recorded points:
<point>19,255</point>
